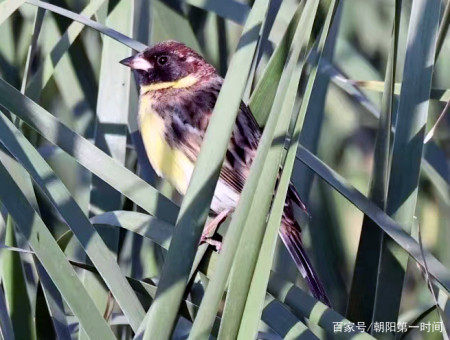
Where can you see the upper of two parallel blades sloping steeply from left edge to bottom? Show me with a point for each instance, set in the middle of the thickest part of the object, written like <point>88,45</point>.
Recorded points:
<point>63,202</point>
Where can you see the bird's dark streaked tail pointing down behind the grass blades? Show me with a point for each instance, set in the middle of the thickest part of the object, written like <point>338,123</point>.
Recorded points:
<point>291,237</point>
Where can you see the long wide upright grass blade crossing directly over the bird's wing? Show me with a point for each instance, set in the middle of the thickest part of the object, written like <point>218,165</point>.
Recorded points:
<point>195,206</point>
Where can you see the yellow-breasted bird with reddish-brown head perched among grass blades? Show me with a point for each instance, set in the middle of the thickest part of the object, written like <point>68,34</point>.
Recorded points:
<point>178,89</point>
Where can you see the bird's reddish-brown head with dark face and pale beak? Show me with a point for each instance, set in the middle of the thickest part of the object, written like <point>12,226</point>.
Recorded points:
<point>169,64</point>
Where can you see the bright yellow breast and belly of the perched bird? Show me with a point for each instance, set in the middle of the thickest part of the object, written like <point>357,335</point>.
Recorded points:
<point>169,163</point>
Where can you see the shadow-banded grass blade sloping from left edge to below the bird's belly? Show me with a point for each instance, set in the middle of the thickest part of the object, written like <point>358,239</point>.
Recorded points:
<point>87,154</point>
